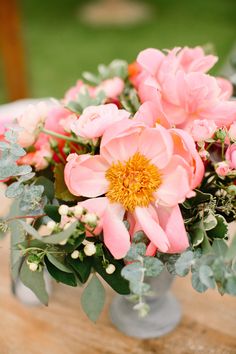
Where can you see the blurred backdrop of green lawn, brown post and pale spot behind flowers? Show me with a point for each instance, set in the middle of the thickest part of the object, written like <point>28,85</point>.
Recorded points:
<point>45,45</point>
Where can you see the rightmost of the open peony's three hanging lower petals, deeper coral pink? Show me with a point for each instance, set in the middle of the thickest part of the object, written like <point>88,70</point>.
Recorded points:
<point>171,221</point>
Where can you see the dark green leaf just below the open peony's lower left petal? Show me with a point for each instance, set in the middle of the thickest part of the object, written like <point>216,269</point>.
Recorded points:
<point>115,280</point>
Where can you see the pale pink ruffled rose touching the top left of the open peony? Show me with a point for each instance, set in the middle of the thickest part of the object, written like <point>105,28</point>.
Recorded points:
<point>96,119</point>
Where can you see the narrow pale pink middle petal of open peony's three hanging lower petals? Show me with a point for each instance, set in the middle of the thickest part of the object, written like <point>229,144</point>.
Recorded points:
<point>152,229</point>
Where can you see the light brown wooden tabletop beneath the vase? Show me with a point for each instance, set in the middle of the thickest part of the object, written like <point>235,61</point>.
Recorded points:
<point>208,325</point>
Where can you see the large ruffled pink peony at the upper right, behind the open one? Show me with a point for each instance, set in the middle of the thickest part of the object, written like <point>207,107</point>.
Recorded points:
<point>186,93</point>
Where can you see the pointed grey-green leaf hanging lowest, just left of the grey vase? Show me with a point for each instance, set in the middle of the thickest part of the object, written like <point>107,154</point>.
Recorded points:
<point>93,298</point>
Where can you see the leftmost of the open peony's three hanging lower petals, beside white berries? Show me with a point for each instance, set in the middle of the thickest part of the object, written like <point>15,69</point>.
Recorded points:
<point>116,235</point>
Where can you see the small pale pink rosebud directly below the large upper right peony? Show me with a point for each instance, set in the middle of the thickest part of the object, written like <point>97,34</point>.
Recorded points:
<point>202,130</point>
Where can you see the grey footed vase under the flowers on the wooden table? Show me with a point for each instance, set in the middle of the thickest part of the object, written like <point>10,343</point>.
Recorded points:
<point>164,314</point>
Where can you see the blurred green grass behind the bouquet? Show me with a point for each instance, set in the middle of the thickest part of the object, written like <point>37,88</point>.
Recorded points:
<point>59,47</point>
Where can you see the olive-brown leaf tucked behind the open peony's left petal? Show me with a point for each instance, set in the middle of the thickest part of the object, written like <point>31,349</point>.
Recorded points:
<point>61,190</point>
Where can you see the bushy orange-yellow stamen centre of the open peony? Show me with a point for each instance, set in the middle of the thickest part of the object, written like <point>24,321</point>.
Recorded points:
<point>133,182</point>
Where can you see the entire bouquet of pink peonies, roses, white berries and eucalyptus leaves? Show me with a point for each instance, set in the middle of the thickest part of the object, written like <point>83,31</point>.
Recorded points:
<point>132,171</point>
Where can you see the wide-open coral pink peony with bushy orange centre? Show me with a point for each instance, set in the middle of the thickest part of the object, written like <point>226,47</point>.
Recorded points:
<point>142,177</point>
